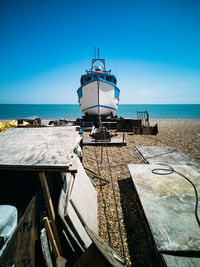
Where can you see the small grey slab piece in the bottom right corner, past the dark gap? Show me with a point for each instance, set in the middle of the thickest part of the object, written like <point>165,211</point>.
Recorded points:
<point>176,261</point>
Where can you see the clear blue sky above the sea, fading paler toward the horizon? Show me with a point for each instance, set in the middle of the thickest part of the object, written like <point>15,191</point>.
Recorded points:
<point>153,48</point>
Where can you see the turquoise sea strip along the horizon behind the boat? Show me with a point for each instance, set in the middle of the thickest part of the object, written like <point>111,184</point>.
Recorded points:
<point>72,111</point>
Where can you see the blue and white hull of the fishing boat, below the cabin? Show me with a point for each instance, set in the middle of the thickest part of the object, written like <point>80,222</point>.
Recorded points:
<point>98,97</point>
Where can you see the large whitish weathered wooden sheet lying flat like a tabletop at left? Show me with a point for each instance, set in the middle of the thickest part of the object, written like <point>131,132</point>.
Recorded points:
<point>36,148</point>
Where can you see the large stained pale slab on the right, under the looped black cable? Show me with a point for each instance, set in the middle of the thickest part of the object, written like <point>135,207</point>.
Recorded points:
<point>169,202</point>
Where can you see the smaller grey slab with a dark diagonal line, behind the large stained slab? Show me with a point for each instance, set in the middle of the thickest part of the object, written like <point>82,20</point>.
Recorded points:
<point>167,155</point>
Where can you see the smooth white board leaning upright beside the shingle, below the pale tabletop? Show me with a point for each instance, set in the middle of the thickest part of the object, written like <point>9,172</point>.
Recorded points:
<point>84,199</point>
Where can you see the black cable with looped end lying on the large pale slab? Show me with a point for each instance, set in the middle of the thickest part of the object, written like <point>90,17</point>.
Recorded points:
<point>170,170</point>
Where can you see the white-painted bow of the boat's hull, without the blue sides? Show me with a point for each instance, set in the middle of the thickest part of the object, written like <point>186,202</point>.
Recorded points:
<point>106,98</point>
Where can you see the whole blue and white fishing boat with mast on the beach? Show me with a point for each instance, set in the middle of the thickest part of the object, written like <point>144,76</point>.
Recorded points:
<point>98,94</point>
